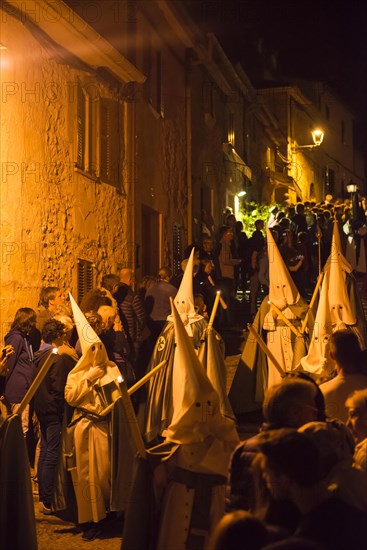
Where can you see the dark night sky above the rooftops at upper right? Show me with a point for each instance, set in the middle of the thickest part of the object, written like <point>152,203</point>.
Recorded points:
<point>322,39</point>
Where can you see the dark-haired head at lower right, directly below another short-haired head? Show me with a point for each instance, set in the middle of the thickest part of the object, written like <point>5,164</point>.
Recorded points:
<point>290,462</point>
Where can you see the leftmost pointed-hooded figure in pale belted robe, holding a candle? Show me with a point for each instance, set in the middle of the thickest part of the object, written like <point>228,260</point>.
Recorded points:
<point>94,460</point>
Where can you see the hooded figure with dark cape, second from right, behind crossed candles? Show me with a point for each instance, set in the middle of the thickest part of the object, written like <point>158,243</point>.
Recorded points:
<point>255,371</point>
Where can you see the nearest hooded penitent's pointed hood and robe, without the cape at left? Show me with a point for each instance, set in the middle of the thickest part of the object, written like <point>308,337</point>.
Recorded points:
<point>195,493</point>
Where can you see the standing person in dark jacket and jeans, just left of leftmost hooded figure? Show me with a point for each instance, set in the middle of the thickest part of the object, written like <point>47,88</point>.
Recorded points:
<point>49,405</point>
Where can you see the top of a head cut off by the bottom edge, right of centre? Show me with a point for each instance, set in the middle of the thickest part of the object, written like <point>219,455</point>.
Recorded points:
<point>236,528</point>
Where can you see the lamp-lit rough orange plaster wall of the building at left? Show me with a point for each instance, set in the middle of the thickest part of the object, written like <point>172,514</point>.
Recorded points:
<point>42,232</point>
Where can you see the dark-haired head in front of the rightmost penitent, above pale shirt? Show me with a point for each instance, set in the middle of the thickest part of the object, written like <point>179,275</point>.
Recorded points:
<point>345,350</point>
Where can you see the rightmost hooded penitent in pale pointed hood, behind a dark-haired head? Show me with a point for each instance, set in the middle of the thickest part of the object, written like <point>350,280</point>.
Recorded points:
<point>338,308</point>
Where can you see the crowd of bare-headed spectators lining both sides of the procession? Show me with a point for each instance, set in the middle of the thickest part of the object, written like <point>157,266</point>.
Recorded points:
<point>299,454</point>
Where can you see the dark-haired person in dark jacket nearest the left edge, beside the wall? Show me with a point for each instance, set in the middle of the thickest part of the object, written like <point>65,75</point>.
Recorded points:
<point>19,371</point>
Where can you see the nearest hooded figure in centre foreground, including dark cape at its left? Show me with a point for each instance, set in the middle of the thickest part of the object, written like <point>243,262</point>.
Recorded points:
<point>187,472</point>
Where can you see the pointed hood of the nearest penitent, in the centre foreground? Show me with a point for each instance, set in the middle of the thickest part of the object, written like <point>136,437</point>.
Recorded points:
<point>196,407</point>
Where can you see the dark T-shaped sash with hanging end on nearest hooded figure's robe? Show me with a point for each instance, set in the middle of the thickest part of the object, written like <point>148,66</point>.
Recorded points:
<point>200,515</point>
